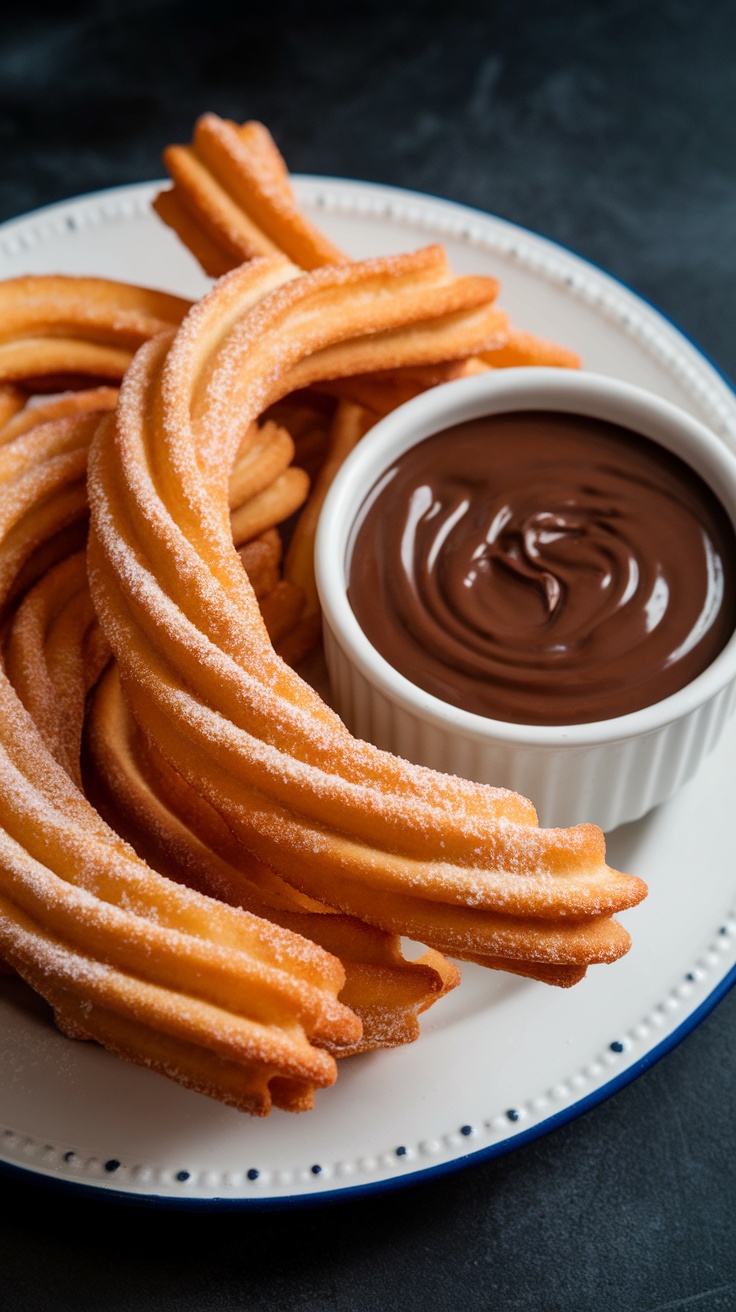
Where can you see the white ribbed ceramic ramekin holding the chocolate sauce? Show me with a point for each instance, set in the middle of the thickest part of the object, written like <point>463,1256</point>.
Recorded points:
<point>608,772</point>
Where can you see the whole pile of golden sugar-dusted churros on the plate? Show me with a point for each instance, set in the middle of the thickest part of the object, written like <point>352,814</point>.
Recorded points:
<point>200,868</point>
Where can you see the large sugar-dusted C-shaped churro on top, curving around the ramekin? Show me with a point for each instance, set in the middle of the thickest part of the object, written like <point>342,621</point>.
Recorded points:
<point>460,867</point>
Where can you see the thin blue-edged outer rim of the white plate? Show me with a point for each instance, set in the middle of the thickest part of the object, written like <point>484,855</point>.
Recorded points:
<point>312,1197</point>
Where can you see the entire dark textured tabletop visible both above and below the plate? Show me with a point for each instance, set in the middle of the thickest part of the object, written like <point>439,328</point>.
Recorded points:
<point>612,128</point>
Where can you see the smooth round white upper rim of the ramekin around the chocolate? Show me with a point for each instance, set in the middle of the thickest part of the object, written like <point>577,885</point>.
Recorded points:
<point>515,389</point>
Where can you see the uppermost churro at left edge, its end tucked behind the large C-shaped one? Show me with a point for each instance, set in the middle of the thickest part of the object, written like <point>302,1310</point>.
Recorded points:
<point>62,327</point>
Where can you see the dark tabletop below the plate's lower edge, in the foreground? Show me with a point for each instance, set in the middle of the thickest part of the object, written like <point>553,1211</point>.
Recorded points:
<point>629,1209</point>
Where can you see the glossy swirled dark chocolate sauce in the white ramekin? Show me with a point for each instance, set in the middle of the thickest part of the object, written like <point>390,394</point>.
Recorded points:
<point>544,569</point>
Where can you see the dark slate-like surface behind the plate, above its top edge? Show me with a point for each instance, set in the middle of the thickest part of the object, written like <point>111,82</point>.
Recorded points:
<point>611,131</point>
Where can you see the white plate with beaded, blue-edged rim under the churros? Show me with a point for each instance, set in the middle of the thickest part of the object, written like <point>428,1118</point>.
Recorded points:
<point>501,1061</point>
